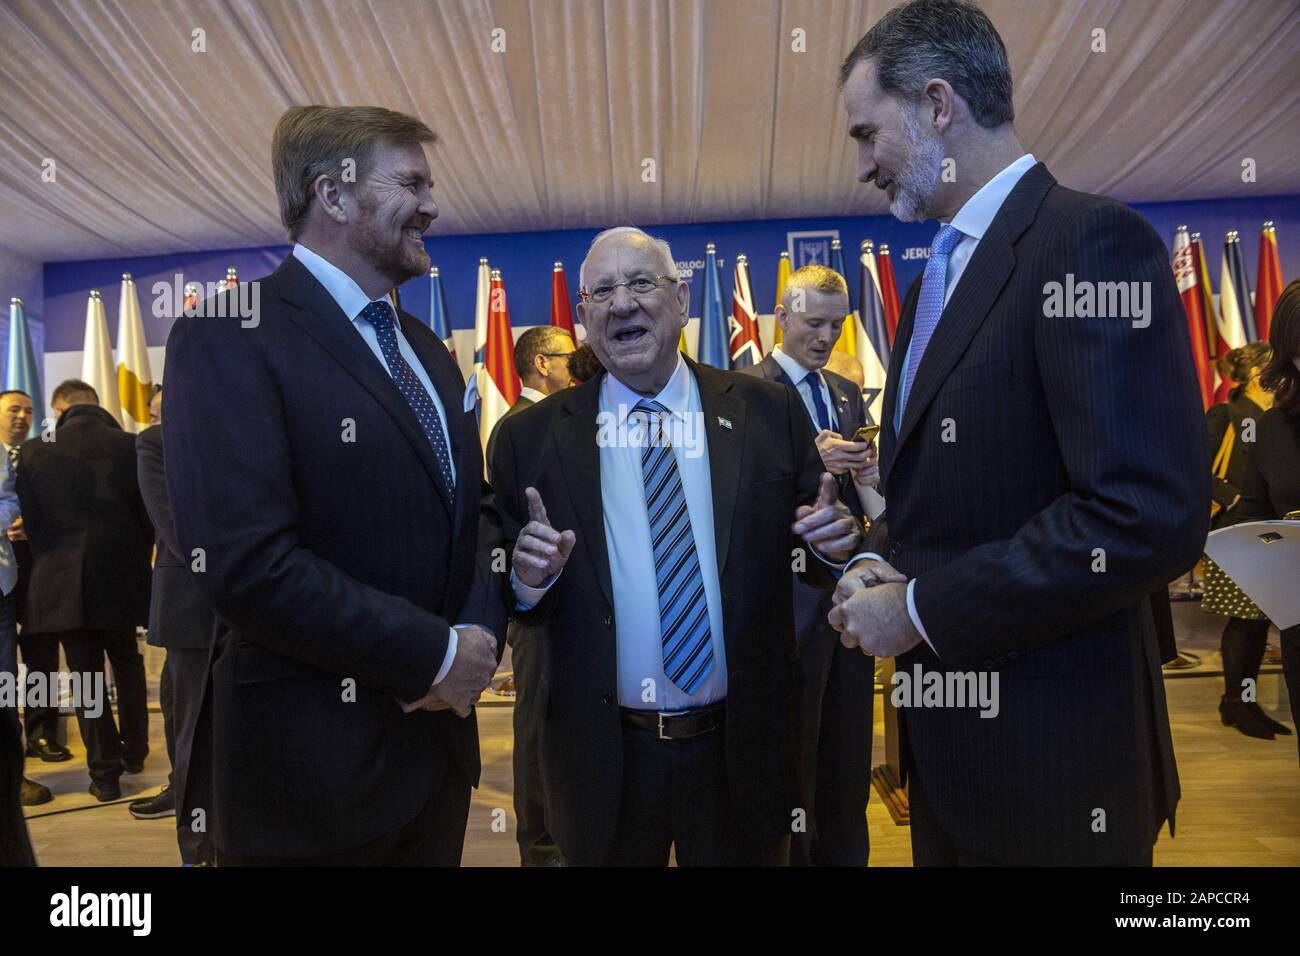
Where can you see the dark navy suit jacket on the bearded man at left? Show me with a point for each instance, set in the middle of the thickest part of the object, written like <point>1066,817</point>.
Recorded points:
<point>335,557</point>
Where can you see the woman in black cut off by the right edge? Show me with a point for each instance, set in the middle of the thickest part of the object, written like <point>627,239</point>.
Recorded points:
<point>1272,483</point>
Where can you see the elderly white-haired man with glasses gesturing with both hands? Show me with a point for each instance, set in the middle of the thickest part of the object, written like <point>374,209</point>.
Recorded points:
<point>658,512</point>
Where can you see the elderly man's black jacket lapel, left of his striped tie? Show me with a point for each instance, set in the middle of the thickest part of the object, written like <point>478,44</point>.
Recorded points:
<point>575,439</point>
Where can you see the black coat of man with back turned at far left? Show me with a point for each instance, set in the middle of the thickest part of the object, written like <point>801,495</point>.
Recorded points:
<point>89,531</point>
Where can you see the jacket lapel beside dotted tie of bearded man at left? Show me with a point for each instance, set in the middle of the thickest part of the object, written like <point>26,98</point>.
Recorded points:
<point>319,317</point>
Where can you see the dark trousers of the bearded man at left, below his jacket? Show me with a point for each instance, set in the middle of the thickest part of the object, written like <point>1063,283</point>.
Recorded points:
<point>435,838</point>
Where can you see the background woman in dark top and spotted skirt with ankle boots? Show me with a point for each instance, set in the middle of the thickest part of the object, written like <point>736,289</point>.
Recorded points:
<point>1233,432</point>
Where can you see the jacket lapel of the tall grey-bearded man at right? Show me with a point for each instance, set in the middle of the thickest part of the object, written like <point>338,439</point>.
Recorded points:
<point>980,287</point>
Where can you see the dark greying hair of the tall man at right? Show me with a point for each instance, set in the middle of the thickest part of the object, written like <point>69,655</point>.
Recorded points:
<point>944,40</point>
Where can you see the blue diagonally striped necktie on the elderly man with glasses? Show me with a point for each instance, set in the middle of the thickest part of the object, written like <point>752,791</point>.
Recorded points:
<point>688,652</point>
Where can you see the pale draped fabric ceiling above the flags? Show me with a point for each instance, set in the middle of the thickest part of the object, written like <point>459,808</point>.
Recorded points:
<point>159,149</point>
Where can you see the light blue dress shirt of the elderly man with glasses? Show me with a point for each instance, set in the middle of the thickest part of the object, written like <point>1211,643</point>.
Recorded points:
<point>627,540</point>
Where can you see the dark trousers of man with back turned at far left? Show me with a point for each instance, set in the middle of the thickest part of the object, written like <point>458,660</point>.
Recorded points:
<point>107,747</point>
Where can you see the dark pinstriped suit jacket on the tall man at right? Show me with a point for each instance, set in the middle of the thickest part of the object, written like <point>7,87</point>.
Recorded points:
<point>1033,449</point>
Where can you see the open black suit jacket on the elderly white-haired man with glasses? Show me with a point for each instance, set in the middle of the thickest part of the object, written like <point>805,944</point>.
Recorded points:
<point>762,468</point>
